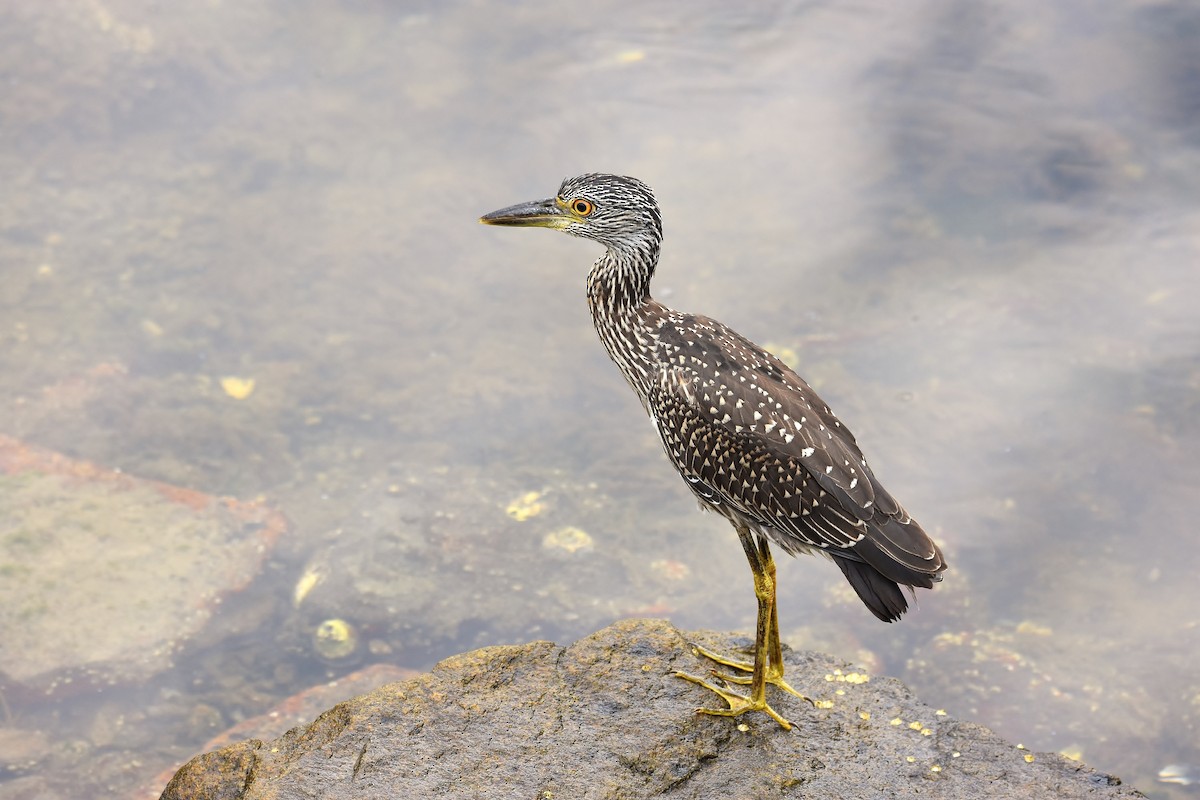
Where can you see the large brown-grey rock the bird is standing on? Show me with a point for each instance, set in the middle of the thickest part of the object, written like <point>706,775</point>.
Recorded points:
<point>604,718</point>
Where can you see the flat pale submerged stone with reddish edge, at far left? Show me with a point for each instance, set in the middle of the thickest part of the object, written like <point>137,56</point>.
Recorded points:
<point>104,578</point>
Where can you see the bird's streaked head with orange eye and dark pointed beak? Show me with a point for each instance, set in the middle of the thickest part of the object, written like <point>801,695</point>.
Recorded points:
<point>617,212</point>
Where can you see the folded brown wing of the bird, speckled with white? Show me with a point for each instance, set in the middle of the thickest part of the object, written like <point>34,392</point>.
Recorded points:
<point>748,432</point>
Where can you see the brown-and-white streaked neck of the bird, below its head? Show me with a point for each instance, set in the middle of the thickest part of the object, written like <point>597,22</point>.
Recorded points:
<point>625,314</point>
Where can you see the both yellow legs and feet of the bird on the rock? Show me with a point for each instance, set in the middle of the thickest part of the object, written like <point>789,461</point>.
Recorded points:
<point>769,664</point>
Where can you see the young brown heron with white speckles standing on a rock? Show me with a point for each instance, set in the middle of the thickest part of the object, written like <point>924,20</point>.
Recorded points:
<point>751,438</point>
